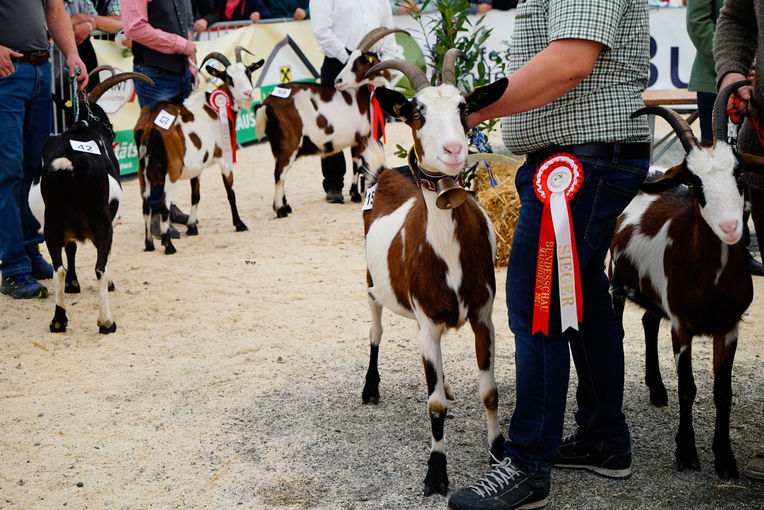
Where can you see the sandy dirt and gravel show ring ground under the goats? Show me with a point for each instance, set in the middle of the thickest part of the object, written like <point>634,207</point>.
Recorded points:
<point>235,375</point>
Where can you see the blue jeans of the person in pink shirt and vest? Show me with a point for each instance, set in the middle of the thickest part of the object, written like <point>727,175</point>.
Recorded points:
<point>168,86</point>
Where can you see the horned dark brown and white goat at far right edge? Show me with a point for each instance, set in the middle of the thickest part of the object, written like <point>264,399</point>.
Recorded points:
<point>677,253</point>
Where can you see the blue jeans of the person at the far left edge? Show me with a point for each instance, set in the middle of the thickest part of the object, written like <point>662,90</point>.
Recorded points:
<point>25,123</point>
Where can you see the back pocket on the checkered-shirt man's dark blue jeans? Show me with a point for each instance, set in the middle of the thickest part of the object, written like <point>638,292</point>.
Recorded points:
<point>609,203</point>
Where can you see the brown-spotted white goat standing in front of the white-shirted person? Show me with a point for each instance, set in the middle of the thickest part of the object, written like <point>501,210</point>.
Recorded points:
<point>308,118</point>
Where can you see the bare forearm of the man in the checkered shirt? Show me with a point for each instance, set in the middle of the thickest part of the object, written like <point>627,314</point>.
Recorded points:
<point>550,74</point>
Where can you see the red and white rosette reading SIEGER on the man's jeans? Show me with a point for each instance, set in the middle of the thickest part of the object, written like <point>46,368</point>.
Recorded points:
<point>557,180</point>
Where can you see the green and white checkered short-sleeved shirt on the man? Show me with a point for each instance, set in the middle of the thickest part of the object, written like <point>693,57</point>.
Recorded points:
<point>598,108</point>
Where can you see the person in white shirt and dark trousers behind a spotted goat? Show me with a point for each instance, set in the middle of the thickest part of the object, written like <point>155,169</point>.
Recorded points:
<point>338,27</point>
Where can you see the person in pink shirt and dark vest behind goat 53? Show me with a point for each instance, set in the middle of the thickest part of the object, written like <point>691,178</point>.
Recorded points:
<point>160,31</point>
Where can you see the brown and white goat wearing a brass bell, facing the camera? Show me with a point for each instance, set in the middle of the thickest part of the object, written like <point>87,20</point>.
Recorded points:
<point>429,255</point>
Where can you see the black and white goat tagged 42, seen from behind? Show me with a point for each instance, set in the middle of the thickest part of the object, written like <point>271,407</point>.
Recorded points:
<point>75,196</point>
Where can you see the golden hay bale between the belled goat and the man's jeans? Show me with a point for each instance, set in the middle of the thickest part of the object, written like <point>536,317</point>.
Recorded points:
<point>501,203</point>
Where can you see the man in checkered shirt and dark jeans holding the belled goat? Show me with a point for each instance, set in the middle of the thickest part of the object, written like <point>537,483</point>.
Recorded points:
<point>577,72</point>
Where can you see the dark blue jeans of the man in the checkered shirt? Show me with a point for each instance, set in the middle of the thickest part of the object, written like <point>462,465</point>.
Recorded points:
<point>542,362</point>
